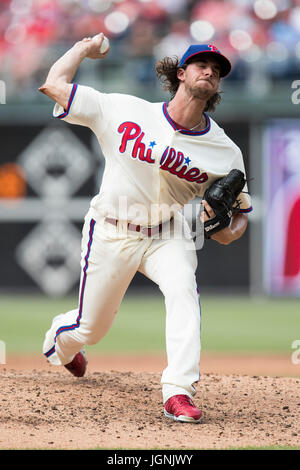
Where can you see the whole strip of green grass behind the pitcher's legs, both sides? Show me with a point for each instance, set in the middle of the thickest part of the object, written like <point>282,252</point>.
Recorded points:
<point>229,325</point>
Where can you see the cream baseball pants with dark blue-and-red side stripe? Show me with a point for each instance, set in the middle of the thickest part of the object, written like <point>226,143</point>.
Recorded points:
<point>109,261</point>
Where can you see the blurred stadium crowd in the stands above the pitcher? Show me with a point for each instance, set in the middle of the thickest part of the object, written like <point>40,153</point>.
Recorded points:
<point>262,34</point>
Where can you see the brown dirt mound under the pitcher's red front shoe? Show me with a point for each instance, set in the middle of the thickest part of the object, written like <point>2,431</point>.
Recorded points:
<point>44,409</point>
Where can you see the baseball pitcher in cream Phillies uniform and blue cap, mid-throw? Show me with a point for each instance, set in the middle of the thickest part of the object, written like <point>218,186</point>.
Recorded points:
<point>158,156</point>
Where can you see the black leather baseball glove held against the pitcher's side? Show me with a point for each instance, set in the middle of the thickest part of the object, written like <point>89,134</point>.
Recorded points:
<point>222,198</point>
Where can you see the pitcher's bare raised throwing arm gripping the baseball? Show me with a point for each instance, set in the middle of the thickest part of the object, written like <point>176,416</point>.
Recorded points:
<point>58,84</point>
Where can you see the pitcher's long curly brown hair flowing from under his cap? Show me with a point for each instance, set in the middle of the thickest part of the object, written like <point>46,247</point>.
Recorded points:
<point>166,71</point>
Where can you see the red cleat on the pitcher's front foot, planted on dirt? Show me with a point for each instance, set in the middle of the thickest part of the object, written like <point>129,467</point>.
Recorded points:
<point>181,408</point>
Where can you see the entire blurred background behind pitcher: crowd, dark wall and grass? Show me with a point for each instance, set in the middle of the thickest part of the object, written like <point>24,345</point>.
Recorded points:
<point>49,170</point>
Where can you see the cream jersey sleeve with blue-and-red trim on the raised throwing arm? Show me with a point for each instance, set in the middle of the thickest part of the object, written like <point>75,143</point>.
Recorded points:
<point>86,107</point>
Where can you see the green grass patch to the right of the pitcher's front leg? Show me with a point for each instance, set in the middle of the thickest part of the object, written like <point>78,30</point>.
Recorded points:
<point>250,325</point>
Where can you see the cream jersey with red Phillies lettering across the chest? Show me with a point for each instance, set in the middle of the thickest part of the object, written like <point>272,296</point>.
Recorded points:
<point>151,163</point>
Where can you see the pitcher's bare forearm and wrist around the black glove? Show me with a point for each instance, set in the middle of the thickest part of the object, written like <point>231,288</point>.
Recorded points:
<point>231,233</point>
